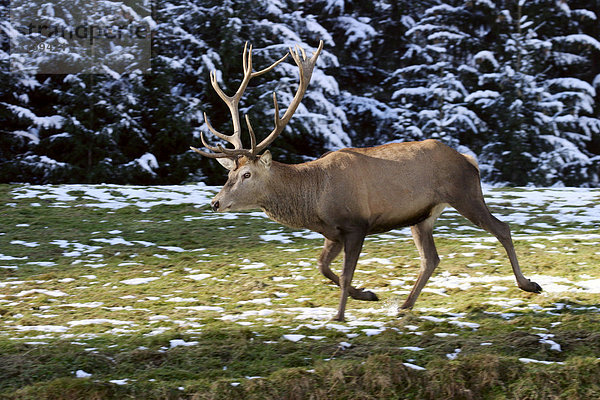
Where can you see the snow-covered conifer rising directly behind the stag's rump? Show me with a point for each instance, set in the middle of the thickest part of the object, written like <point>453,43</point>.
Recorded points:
<point>431,85</point>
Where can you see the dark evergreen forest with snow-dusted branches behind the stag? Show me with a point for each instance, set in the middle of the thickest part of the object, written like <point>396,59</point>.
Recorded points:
<point>514,83</point>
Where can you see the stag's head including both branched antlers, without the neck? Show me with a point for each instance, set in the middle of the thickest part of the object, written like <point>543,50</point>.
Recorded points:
<point>249,170</point>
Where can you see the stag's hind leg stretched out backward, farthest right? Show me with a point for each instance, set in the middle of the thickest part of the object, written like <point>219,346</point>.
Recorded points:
<point>476,211</point>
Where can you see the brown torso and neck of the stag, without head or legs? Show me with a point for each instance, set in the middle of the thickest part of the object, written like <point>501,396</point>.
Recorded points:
<point>378,188</point>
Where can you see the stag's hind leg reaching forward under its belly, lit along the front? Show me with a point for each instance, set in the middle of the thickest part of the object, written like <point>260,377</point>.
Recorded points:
<point>423,238</point>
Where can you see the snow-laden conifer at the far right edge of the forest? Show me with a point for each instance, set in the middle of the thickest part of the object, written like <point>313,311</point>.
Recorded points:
<point>533,117</point>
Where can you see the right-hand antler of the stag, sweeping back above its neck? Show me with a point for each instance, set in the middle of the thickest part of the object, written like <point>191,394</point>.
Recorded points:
<point>305,69</point>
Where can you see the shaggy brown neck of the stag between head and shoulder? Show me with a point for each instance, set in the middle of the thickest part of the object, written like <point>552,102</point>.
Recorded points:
<point>291,195</point>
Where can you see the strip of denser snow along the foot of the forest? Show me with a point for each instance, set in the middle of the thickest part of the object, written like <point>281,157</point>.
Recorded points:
<point>562,206</point>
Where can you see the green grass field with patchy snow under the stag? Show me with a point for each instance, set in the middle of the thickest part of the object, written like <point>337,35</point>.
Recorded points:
<point>142,292</point>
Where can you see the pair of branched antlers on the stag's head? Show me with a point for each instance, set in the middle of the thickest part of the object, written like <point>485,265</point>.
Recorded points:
<point>305,67</point>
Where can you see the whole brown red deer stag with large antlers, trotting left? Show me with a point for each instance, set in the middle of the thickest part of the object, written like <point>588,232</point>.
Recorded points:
<point>350,193</point>
